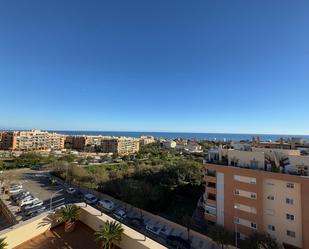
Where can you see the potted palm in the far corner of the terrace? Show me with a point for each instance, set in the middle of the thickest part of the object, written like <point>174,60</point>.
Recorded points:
<point>68,214</point>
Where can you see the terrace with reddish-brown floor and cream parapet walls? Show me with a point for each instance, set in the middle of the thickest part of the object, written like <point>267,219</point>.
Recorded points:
<point>41,233</point>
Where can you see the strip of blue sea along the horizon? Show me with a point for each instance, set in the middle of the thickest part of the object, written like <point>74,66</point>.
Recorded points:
<point>185,135</point>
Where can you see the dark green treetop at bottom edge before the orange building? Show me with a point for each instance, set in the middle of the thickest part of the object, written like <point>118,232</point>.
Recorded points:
<point>261,241</point>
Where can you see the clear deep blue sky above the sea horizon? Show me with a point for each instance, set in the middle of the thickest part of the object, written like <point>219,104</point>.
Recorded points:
<point>165,65</point>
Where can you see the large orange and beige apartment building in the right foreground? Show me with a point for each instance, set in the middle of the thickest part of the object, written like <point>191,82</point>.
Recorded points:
<point>246,198</point>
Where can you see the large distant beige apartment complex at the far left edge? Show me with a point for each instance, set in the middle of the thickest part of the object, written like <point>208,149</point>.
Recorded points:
<point>34,140</point>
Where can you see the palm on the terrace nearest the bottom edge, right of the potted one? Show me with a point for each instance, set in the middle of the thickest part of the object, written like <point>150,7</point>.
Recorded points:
<point>109,234</point>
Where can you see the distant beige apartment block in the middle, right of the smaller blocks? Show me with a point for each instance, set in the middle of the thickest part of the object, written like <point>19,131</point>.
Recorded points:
<point>122,146</point>
